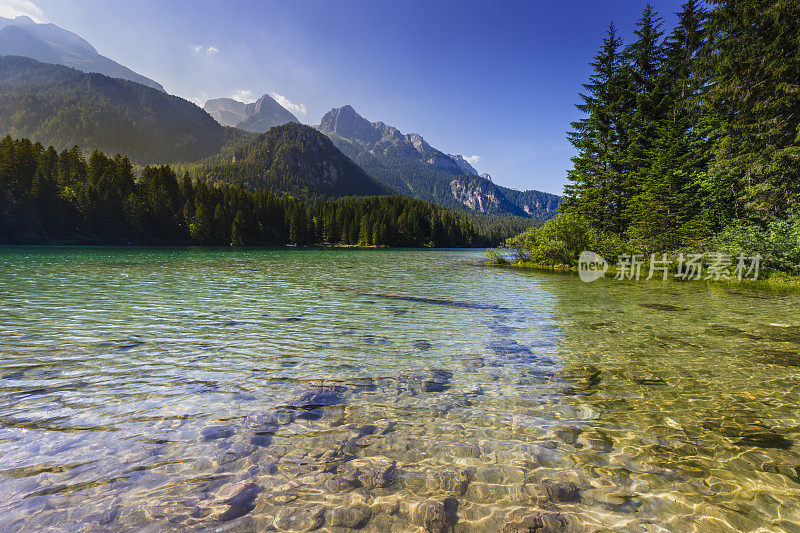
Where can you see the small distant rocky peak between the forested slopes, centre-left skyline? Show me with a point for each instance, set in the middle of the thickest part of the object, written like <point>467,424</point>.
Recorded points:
<point>258,117</point>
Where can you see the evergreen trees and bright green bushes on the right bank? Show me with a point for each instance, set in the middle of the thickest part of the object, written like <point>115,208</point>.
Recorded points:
<point>689,136</point>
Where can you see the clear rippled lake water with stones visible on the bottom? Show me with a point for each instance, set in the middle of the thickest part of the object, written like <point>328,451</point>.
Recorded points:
<point>185,389</point>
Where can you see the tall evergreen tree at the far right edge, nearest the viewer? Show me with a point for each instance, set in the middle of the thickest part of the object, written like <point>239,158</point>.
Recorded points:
<point>754,68</point>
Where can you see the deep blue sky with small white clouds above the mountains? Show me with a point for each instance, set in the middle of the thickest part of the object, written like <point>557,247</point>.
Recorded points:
<point>492,79</point>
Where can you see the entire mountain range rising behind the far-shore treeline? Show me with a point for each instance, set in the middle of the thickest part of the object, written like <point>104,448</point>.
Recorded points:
<point>124,112</point>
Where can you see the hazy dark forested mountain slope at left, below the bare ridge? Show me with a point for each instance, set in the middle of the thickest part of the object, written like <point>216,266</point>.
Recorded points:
<point>64,107</point>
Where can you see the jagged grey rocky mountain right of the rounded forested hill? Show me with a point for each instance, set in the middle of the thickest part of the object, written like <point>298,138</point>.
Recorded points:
<point>409,165</point>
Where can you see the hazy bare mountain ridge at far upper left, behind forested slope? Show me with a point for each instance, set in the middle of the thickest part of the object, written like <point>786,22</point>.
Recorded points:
<point>49,43</point>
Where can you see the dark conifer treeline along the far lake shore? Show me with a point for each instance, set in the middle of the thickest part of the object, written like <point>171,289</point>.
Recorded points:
<point>51,197</point>
